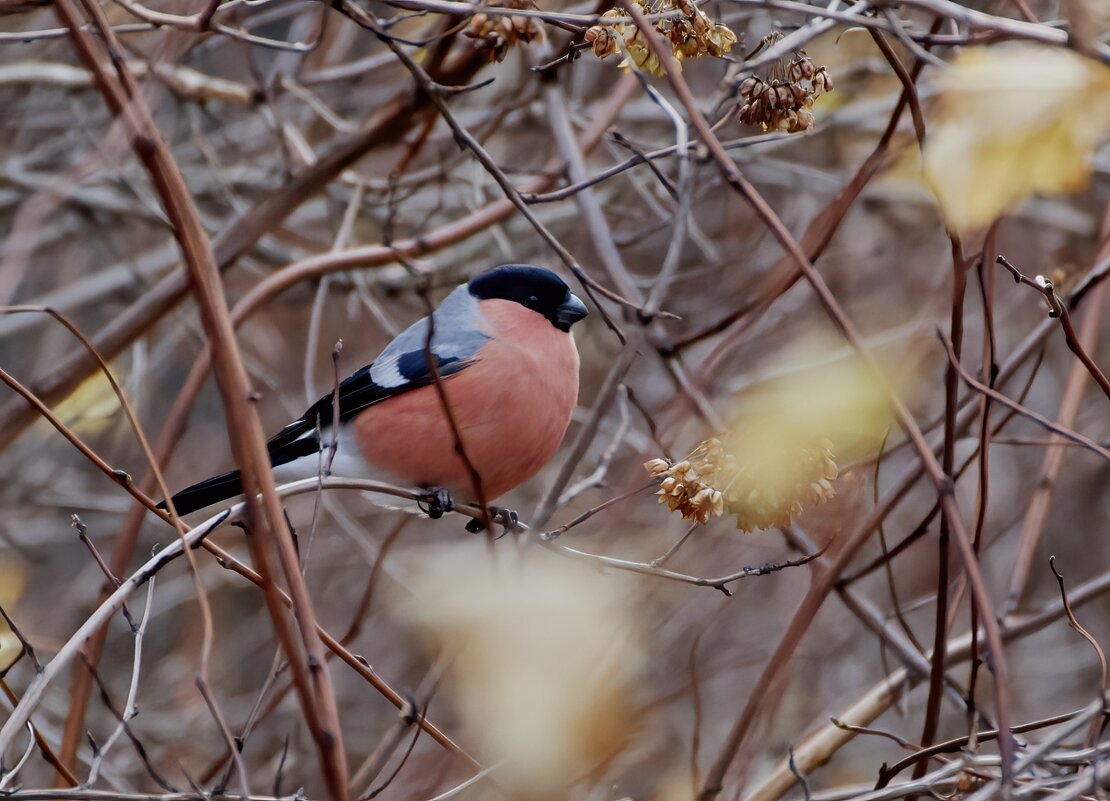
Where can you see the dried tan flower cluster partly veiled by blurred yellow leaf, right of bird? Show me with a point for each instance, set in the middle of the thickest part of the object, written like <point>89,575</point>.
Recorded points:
<point>712,481</point>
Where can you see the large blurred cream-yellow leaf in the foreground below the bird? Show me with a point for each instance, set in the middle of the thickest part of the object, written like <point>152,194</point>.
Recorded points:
<point>542,655</point>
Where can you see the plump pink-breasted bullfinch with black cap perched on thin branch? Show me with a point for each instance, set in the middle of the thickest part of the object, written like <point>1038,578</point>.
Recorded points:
<point>509,368</point>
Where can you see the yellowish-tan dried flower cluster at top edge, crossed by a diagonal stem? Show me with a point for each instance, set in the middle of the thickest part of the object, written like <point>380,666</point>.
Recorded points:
<point>691,36</point>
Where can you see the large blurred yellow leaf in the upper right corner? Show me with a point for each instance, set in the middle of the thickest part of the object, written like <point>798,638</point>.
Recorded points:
<point>1014,120</point>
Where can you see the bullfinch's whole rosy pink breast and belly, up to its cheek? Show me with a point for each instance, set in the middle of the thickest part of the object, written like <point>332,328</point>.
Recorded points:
<point>513,408</point>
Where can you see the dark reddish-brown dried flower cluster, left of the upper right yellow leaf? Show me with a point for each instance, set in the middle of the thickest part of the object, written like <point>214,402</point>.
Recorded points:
<point>785,102</point>
